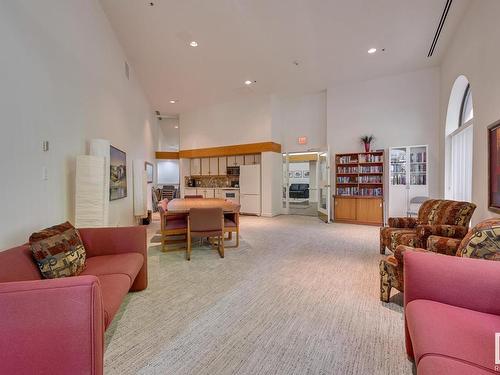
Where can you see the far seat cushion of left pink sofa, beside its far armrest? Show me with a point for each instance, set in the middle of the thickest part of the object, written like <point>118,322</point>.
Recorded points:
<point>128,264</point>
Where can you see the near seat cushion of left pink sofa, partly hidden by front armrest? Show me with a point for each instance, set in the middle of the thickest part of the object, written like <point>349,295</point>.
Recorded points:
<point>114,288</point>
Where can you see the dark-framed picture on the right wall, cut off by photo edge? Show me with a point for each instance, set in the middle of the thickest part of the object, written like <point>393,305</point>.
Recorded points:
<point>494,167</point>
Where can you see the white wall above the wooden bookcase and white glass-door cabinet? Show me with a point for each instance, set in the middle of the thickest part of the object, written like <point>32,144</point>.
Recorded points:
<point>398,110</point>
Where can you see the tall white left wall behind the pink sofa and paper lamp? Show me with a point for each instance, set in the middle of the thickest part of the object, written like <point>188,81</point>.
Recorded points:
<point>62,74</point>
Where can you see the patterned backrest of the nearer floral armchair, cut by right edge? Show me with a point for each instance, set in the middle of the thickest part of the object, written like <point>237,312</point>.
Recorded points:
<point>482,241</point>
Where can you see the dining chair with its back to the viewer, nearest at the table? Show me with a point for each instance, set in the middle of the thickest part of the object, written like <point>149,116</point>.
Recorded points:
<point>206,222</point>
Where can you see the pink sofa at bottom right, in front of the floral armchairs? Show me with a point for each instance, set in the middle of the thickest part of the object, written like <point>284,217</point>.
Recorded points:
<point>452,312</point>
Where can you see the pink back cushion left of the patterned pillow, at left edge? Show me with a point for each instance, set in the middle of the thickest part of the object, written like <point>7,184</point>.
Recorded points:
<point>17,264</point>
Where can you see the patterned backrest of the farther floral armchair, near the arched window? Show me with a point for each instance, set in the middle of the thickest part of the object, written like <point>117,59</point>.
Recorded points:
<point>441,211</point>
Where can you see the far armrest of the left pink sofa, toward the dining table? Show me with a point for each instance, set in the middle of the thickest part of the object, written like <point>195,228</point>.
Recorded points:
<point>118,240</point>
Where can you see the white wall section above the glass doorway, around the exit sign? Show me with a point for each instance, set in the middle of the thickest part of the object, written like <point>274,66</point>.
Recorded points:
<point>299,115</point>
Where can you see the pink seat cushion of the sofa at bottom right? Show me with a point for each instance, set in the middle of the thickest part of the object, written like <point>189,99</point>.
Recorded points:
<point>455,332</point>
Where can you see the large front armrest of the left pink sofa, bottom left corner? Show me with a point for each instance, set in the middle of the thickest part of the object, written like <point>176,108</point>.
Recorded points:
<point>52,326</point>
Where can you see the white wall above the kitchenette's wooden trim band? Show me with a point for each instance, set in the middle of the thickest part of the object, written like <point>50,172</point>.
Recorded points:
<point>246,120</point>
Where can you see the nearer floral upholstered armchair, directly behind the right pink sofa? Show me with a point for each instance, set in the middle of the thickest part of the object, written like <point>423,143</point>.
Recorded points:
<point>482,241</point>
